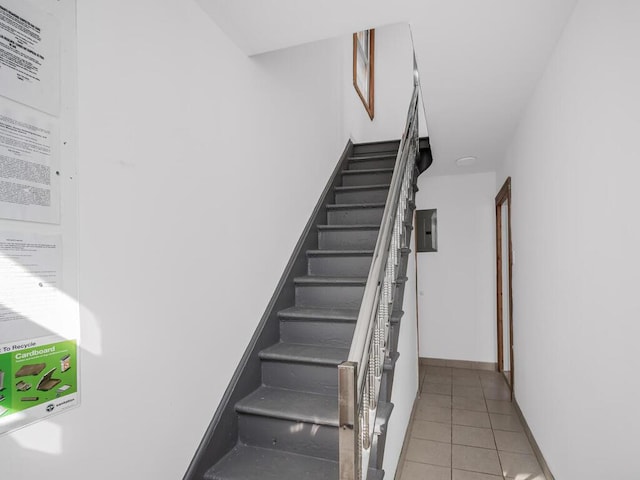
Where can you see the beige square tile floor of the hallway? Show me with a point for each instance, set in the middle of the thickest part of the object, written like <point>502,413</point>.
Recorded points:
<point>465,428</point>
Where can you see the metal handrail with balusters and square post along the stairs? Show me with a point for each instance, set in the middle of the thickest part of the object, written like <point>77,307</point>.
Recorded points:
<point>359,377</point>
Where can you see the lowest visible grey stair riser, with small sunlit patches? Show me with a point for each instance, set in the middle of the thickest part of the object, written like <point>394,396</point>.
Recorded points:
<point>297,437</point>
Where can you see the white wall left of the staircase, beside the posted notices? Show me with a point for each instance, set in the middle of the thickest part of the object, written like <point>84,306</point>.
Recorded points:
<point>188,214</point>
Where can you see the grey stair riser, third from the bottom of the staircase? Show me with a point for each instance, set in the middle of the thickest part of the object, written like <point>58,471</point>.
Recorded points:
<point>333,334</point>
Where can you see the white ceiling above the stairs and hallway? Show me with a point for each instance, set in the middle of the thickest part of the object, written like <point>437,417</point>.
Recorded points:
<point>479,60</point>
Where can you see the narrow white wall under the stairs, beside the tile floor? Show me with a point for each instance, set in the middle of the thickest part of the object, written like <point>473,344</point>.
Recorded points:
<point>405,383</point>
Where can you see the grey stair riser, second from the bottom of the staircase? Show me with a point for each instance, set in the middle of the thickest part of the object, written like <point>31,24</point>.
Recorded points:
<point>322,379</point>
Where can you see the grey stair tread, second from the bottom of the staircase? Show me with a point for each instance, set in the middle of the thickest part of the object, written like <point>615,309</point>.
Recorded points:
<point>291,405</point>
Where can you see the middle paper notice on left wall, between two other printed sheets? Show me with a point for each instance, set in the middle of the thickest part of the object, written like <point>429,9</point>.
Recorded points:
<point>29,160</point>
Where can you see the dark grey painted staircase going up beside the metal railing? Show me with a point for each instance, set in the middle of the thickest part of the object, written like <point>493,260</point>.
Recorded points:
<point>279,418</point>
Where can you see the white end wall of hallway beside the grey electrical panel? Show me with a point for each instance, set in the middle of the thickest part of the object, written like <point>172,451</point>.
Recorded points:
<point>456,284</point>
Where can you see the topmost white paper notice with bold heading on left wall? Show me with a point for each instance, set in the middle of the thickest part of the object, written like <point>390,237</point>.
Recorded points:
<point>29,56</point>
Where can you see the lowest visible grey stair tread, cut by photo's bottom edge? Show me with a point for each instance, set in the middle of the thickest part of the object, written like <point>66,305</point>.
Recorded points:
<point>253,463</point>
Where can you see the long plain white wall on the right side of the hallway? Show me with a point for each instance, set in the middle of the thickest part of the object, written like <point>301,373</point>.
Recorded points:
<point>575,190</point>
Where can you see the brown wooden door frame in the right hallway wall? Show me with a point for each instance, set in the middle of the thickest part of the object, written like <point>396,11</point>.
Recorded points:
<point>504,195</point>
